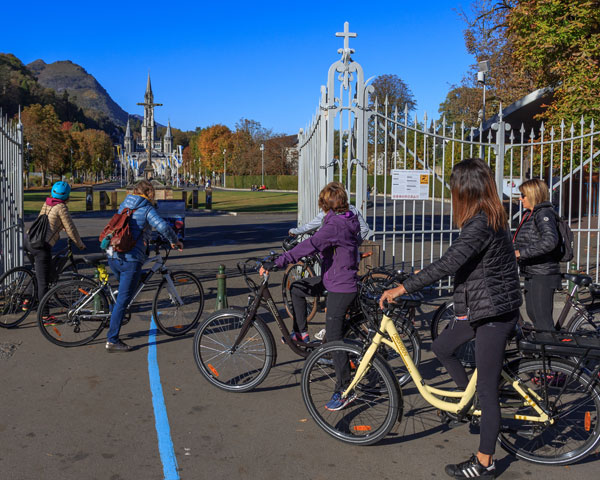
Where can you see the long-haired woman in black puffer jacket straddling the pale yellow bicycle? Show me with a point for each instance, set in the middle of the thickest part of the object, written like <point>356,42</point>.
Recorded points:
<point>487,298</point>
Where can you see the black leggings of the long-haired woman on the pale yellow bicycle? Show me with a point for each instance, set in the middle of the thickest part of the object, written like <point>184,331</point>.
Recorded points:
<point>490,336</point>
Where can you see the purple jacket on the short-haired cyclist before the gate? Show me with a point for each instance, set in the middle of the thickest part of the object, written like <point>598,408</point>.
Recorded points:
<point>337,241</point>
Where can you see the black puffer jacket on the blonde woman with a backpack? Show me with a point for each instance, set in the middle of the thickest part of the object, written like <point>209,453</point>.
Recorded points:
<point>537,241</point>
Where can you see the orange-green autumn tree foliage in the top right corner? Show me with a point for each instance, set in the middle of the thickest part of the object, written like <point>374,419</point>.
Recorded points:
<point>558,45</point>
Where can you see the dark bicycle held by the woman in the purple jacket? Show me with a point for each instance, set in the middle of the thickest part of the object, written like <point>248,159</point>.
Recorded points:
<point>234,348</point>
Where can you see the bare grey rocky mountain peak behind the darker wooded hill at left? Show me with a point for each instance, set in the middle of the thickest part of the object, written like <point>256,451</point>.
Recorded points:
<point>81,87</point>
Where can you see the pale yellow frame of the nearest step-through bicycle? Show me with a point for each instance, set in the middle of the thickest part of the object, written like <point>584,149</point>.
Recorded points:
<point>432,394</point>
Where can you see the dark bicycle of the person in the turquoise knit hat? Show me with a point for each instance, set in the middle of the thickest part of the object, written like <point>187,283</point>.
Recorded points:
<point>19,290</point>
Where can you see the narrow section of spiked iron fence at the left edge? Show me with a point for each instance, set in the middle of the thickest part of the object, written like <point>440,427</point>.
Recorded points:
<point>11,193</point>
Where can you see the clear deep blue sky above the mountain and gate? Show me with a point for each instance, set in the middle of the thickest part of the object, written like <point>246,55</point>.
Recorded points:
<point>260,60</point>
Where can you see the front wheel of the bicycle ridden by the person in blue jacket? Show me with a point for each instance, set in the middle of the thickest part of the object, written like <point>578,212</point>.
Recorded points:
<point>172,317</point>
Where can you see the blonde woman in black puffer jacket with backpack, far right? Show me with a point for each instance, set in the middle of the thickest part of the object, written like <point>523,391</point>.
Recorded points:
<point>538,252</point>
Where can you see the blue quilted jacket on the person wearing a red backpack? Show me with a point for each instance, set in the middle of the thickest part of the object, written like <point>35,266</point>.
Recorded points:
<point>142,221</point>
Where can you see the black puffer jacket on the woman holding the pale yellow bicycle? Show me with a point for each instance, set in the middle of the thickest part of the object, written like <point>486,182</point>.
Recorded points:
<point>486,279</point>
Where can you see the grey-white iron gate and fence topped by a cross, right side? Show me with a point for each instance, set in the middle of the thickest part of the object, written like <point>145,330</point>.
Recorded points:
<point>359,140</point>
